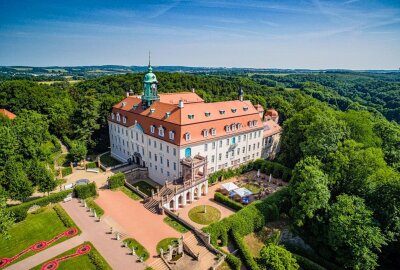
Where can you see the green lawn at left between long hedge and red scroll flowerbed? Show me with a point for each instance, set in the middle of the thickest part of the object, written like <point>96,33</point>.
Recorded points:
<point>41,226</point>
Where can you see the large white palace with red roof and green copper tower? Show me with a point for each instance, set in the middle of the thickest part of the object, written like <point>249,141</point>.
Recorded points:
<point>180,138</point>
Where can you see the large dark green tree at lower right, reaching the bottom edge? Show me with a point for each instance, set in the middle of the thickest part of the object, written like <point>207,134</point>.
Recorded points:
<point>353,234</point>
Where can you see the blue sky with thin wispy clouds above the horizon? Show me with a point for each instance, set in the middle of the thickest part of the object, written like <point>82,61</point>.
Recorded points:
<point>352,34</point>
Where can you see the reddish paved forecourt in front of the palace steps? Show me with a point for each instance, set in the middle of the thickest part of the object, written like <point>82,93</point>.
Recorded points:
<point>135,220</point>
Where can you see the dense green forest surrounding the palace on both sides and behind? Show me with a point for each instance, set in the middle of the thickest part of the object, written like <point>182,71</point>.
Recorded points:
<point>340,137</point>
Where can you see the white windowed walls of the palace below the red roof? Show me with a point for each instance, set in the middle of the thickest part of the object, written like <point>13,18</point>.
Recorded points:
<point>163,159</point>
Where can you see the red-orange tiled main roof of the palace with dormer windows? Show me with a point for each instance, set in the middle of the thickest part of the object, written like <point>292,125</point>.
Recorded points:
<point>203,116</point>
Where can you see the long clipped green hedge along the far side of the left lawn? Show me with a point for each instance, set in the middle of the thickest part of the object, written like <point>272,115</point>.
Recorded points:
<point>20,211</point>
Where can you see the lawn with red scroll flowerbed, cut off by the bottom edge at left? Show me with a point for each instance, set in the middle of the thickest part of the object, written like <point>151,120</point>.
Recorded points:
<point>85,261</point>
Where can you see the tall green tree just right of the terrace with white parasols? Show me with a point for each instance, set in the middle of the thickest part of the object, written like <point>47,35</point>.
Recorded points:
<point>309,190</point>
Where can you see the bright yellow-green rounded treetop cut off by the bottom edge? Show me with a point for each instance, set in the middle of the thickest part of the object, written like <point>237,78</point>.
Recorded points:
<point>274,257</point>
